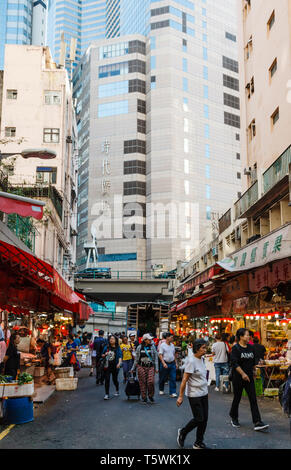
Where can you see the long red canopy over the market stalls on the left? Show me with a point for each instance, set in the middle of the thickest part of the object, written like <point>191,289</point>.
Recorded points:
<point>26,282</point>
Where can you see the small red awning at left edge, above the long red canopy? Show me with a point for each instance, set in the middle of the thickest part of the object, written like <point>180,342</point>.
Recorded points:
<point>23,206</point>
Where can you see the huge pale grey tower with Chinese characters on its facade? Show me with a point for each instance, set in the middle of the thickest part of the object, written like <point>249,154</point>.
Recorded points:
<point>174,146</point>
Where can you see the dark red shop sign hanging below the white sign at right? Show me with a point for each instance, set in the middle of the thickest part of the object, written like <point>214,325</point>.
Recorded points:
<point>270,276</point>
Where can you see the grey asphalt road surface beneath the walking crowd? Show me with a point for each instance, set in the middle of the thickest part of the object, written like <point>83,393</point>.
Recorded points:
<point>81,419</point>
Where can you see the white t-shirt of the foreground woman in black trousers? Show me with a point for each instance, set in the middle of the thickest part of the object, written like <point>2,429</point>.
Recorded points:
<point>197,385</point>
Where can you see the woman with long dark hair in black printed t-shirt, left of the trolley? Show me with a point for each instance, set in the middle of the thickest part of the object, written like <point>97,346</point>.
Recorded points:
<point>113,359</point>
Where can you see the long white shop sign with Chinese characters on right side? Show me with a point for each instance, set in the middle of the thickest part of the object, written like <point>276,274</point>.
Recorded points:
<point>275,246</point>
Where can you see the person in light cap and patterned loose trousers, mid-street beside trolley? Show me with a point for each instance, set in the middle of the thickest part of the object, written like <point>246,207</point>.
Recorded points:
<point>146,362</point>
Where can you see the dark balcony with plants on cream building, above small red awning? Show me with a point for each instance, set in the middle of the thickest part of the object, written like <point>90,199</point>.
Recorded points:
<point>38,192</point>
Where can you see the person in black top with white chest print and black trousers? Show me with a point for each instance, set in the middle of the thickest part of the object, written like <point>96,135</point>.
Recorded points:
<point>243,370</point>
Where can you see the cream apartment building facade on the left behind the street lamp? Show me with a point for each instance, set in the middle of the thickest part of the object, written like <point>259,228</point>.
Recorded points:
<point>38,113</point>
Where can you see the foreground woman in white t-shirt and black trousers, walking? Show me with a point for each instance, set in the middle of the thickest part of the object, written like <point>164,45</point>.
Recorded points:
<point>195,386</point>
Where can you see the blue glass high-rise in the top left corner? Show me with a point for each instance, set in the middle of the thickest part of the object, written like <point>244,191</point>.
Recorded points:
<point>22,22</point>
